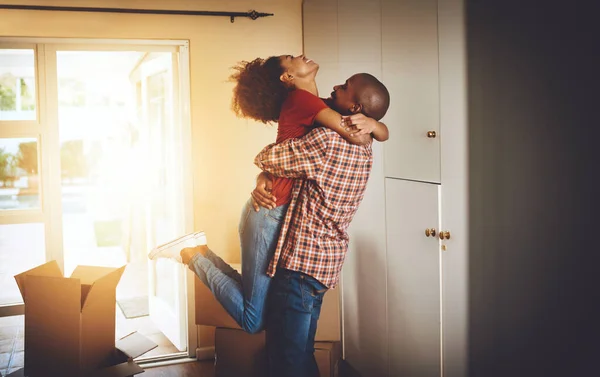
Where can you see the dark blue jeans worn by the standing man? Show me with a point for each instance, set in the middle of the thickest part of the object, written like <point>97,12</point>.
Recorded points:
<point>292,314</point>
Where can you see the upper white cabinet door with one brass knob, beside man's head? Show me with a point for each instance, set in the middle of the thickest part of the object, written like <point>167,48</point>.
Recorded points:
<point>410,72</point>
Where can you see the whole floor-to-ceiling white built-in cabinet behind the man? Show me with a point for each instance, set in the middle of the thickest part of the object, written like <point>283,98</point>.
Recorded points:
<point>394,294</point>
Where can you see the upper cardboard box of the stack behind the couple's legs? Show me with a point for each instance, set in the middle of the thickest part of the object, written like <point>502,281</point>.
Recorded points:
<point>209,312</point>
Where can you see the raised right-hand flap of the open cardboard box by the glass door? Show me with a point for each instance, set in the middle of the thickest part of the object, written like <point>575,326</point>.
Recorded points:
<point>104,283</point>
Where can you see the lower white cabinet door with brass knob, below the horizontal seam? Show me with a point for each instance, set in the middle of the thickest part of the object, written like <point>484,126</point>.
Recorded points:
<point>413,273</point>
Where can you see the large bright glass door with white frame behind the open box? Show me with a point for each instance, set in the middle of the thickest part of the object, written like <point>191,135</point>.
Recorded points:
<point>95,170</point>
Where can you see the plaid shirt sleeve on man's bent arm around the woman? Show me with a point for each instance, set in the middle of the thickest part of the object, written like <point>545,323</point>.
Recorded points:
<point>297,158</point>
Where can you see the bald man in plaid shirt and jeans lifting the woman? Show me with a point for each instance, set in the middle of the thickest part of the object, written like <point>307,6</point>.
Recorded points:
<point>332,177</point>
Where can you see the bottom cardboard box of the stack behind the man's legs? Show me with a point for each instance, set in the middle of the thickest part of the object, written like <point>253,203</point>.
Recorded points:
<point>239,354</point>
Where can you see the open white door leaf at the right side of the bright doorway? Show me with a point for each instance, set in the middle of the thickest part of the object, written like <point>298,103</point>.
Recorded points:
<point>157,91</point>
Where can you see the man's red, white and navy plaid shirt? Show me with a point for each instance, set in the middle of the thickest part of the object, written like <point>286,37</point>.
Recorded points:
<point>334,176</point>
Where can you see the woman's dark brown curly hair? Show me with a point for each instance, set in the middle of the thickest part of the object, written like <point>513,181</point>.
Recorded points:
<point>259,93</point>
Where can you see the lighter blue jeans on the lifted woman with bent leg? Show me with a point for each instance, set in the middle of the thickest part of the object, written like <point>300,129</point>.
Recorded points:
<point>244,296</point>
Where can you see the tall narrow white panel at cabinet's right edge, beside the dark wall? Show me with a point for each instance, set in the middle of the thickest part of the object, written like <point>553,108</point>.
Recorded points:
<point>455,185</point>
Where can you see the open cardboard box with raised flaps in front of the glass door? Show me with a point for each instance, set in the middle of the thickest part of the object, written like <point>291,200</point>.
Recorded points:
<point>70,323</point>
